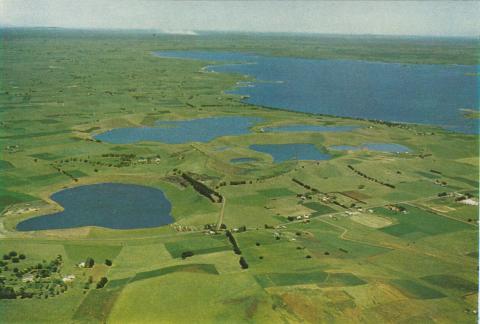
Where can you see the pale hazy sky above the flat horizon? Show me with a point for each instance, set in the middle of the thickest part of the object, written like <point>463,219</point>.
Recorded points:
<point>432,18</point>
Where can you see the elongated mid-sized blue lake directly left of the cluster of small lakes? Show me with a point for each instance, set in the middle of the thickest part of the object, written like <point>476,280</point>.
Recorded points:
<point>176,132</point>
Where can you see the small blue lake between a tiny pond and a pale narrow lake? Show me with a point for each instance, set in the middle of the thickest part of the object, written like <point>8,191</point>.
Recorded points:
<point>285,152</point>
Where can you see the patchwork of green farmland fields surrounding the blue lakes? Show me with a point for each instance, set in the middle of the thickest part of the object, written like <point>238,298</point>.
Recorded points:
<point>350,251</point>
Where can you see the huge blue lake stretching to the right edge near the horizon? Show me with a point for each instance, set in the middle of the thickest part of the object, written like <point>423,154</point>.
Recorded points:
<point>412,93</point>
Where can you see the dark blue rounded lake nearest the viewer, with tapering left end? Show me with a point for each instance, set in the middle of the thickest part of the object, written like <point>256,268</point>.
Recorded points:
<point>111,205</point>
